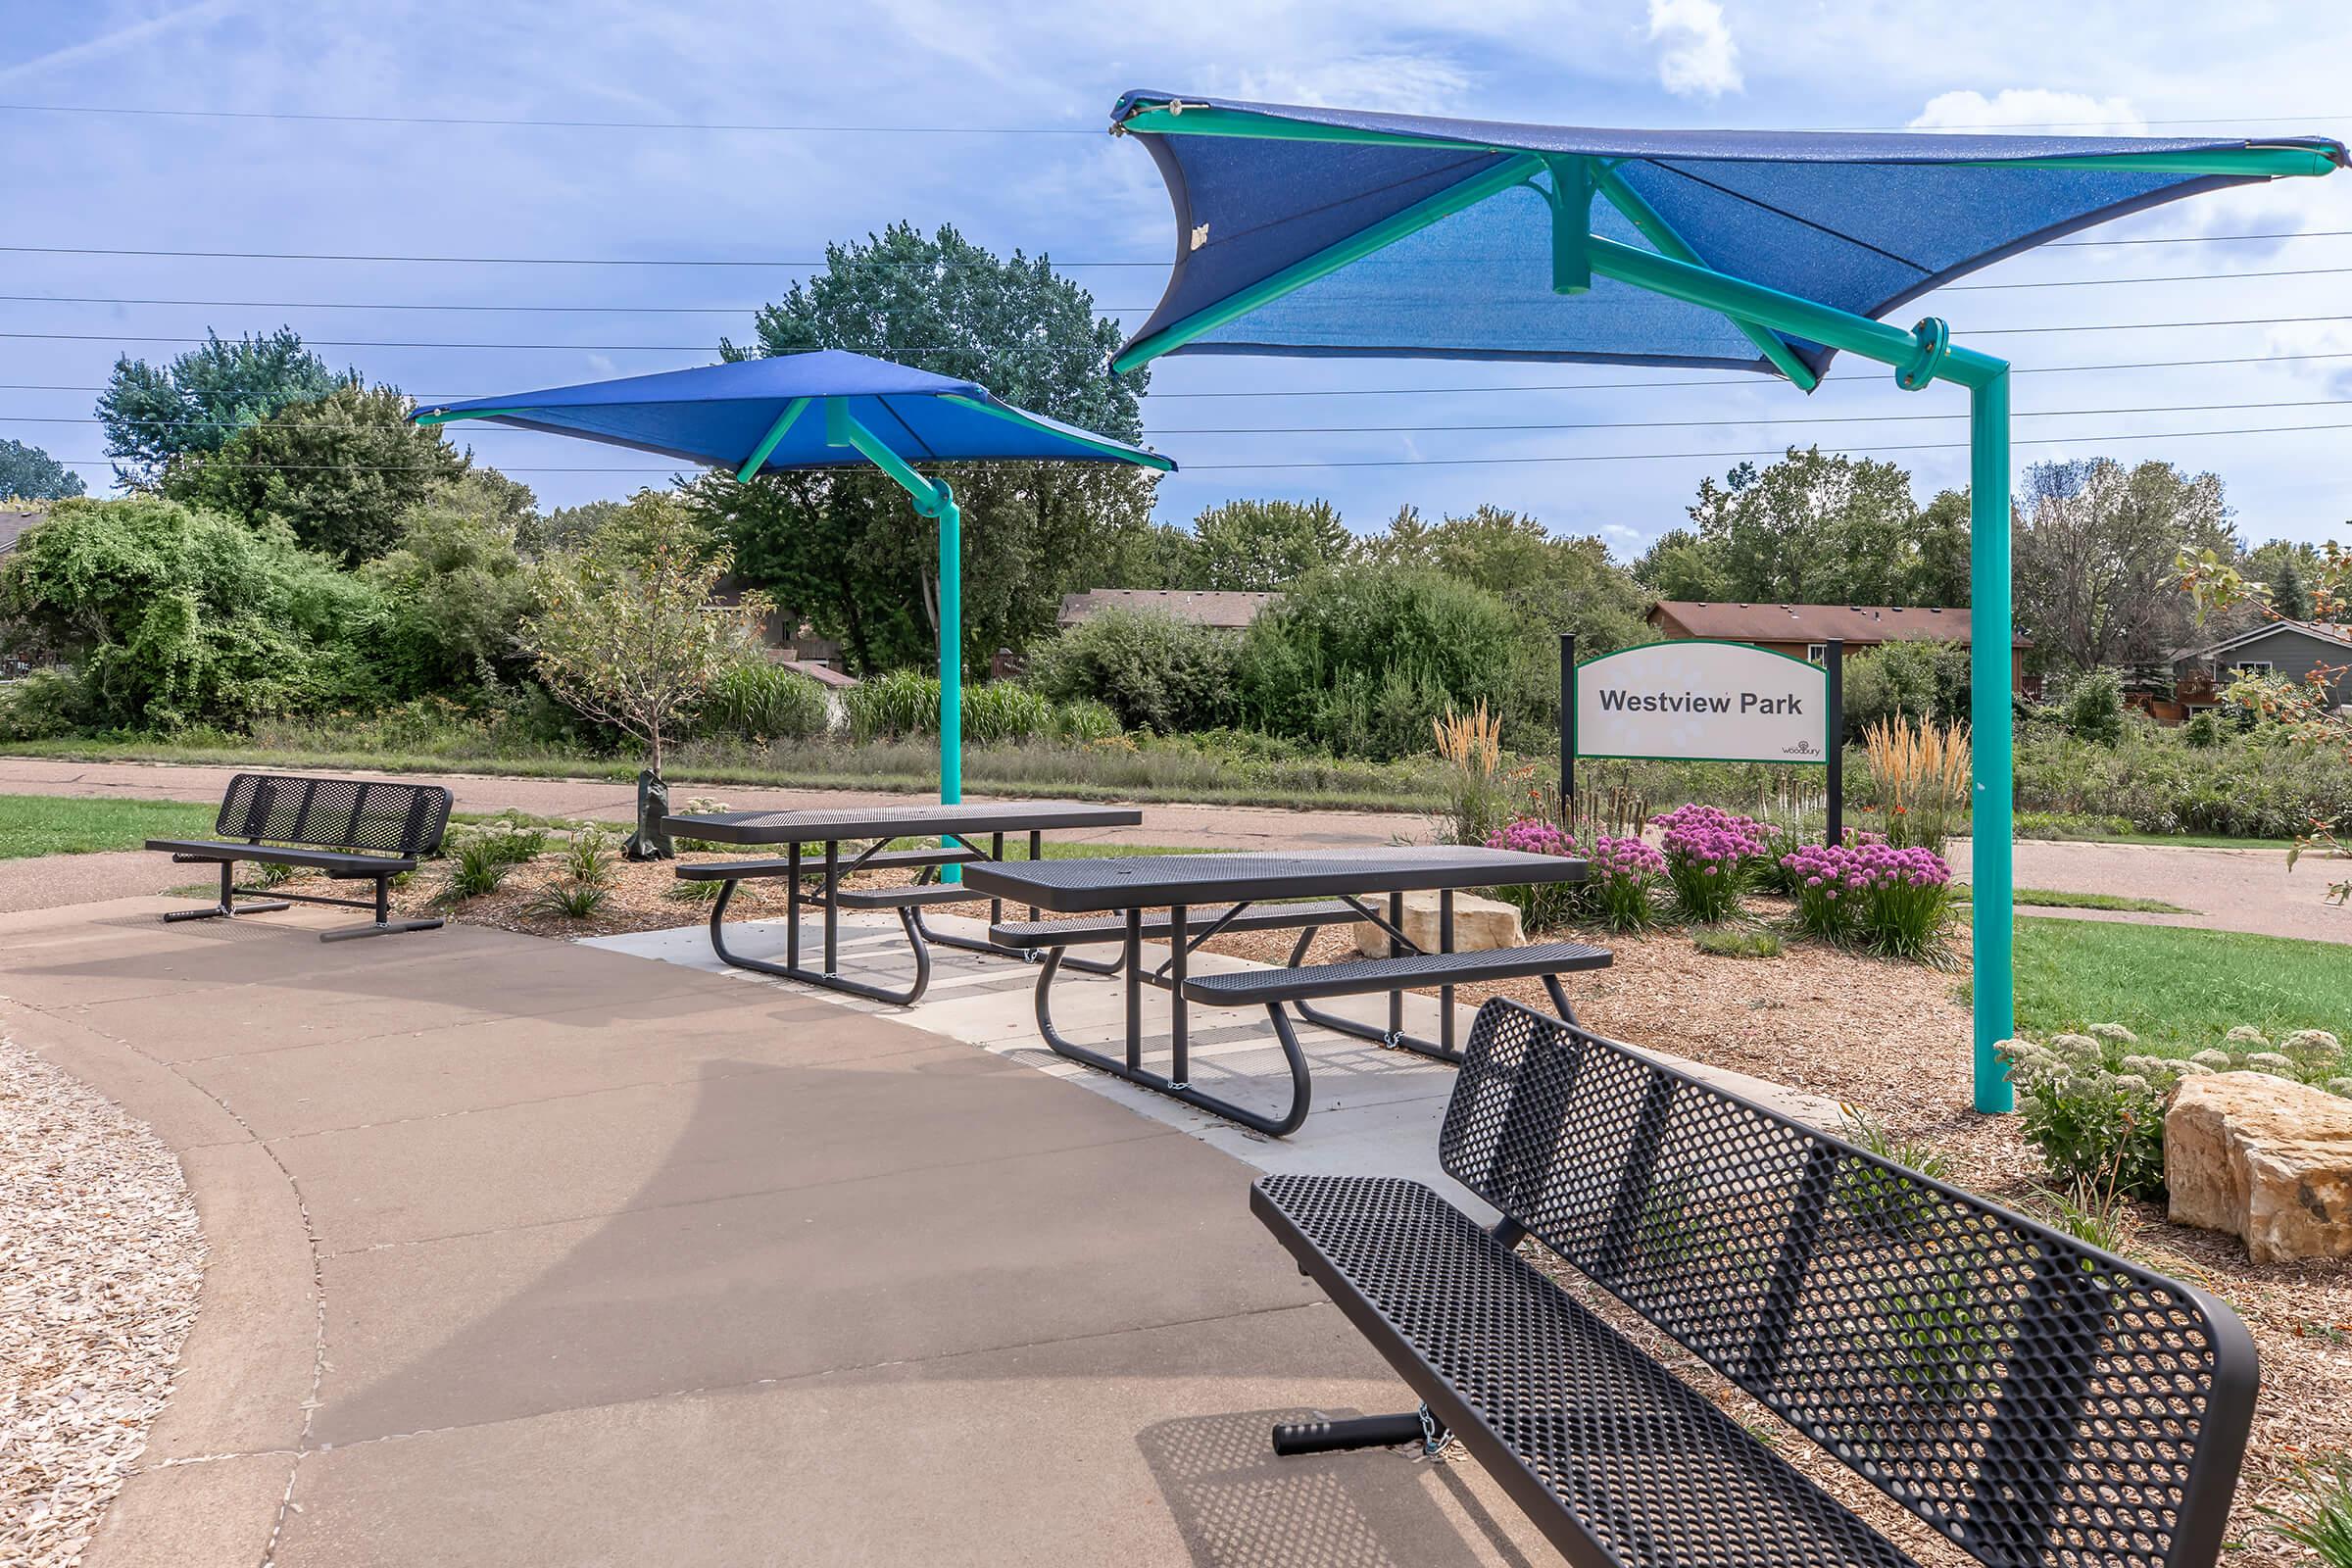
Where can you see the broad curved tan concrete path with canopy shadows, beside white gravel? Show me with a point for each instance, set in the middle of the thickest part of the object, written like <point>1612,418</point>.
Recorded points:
<point>537,1254</point>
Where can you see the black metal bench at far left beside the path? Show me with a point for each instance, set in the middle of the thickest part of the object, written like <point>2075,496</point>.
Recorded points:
<point>352,829</point>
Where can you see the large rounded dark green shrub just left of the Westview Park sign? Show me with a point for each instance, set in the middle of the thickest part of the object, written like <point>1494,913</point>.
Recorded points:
<point>1363,662</point>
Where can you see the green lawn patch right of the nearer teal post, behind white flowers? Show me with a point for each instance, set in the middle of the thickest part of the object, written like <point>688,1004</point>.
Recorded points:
<point>2177,989</point>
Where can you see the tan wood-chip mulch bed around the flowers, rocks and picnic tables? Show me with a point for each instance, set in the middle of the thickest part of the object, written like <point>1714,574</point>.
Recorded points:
<point>1883,1038</point>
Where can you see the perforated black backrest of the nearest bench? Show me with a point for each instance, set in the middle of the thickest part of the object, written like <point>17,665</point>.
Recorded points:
<point>2031,1398</point>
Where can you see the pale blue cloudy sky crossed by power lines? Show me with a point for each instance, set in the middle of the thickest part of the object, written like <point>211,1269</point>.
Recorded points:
<point>1034,170</point>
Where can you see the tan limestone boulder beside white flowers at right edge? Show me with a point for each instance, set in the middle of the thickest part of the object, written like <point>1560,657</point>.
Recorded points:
<point>2266,1160</point>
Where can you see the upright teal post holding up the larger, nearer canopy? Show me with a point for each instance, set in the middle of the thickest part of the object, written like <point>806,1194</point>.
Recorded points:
<point>1991,657</point>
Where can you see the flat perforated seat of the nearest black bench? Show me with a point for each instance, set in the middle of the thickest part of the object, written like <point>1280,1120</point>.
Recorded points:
<point>1516,1367</point>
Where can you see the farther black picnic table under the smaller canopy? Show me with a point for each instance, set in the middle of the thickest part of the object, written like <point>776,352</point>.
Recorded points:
<point>836,826</point>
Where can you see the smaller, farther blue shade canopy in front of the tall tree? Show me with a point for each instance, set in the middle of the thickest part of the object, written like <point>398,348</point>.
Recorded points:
<point>723,415</point>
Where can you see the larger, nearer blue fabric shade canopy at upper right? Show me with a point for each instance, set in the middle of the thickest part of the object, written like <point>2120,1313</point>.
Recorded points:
<point>1332,232</point>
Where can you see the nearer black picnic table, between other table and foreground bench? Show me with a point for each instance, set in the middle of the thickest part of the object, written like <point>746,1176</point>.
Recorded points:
<point>1325,887</point>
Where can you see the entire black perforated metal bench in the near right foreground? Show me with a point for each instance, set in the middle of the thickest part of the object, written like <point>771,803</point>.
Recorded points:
<point>2038,1402</point>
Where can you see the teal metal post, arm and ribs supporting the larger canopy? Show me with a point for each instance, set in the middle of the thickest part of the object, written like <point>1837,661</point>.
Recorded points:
<point>1768,316</point>
